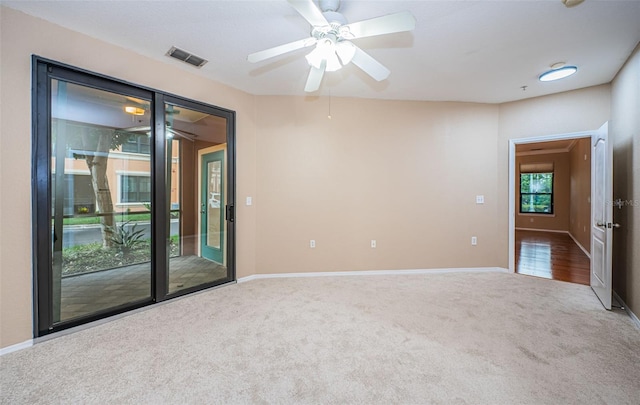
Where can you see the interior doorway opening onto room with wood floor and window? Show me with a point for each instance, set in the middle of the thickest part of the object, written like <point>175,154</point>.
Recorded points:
<point>550,193</point>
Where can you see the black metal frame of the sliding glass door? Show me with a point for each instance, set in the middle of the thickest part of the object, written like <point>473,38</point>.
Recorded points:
<point>43,71</point>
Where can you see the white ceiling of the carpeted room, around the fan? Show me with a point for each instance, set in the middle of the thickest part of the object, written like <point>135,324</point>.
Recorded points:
<point>477,51</point>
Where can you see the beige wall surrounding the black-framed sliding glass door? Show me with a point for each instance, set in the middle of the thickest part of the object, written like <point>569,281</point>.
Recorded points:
<point>22,36</point>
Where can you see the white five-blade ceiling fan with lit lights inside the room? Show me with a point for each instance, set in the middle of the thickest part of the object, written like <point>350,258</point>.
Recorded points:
<point>331,35</point>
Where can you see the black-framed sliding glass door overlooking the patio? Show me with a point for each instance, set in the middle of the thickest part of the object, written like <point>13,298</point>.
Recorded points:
<point>117,196</point>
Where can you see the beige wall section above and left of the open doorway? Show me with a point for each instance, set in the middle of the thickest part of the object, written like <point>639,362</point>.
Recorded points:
<point>580,110</point>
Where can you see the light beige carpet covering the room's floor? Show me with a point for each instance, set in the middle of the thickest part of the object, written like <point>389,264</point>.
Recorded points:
<point>485,338</point>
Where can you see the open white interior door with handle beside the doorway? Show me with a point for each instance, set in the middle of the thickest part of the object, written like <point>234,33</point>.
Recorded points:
<point>601,214</point>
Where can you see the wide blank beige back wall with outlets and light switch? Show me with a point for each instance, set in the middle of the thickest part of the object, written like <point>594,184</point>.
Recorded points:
<point>403,173</point>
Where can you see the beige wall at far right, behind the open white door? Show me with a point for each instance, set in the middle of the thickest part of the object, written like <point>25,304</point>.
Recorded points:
<point>625,131</point>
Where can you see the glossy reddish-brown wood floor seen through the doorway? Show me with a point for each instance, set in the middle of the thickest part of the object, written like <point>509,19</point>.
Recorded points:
<point>551,255</point>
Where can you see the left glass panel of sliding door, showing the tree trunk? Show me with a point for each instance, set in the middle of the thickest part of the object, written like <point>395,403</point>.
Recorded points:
<point>100,200</point>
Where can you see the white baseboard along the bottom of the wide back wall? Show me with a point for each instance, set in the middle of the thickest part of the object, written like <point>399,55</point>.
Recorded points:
<point>374,273</point>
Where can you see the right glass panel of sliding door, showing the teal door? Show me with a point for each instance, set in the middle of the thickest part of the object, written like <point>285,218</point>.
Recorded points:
<point>196,149</point>
